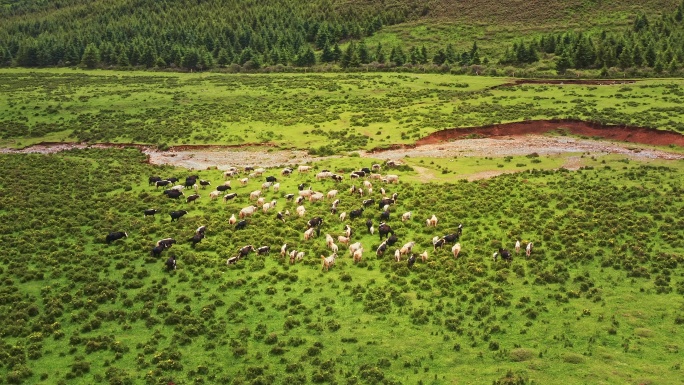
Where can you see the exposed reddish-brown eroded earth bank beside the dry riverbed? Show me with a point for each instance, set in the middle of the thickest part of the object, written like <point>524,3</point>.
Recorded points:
<point>576,127</point>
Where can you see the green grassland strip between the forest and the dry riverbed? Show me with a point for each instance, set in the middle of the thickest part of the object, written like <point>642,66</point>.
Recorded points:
<point>343,111</point>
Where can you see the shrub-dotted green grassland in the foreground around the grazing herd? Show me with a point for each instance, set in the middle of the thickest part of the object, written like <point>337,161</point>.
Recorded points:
<point>599,301</point>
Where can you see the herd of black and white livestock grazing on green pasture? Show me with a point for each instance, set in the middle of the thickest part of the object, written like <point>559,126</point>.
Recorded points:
<point>314,224</point>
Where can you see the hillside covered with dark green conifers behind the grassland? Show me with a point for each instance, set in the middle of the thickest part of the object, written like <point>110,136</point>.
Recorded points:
<point>485,37</point>
